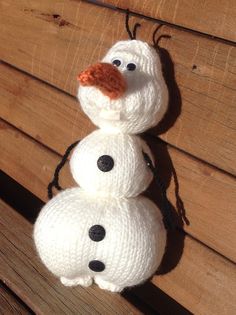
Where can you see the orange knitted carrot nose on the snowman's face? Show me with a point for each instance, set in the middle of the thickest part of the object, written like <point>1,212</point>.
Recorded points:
<point>106,77</point>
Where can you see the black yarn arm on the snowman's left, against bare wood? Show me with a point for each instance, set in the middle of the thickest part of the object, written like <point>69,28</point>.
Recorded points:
<point>55,180</point>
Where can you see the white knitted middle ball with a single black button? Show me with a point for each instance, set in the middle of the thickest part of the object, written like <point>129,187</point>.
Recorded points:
<point>111,164</point>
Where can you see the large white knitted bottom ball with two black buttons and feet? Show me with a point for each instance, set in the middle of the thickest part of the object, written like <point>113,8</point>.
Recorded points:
<point>116,242</point>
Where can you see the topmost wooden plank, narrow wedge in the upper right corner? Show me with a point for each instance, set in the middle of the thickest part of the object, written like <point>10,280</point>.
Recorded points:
<point>212,17</point>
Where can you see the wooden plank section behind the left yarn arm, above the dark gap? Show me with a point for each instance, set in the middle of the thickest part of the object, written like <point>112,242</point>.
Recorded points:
<point>29,163</point>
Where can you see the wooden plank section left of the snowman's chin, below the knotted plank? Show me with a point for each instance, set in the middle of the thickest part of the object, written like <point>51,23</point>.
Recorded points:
<point>41,111</point>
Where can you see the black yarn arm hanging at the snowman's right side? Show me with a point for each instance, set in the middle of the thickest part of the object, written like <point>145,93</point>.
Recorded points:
<point>166,211</point>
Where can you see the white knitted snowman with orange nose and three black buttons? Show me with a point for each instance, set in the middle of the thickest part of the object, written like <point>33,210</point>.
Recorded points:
<point>105,231</point>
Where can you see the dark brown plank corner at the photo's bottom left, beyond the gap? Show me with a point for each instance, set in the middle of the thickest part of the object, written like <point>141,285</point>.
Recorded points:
<point>10,304</point>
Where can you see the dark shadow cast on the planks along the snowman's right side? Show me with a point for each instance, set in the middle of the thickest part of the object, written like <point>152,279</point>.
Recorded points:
<point>165,167</point>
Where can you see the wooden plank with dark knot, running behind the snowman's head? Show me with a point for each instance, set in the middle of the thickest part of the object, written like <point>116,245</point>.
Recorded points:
<point>54,40</point>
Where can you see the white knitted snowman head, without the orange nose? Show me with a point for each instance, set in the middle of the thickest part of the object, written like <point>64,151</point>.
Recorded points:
<point>145,101</point>
